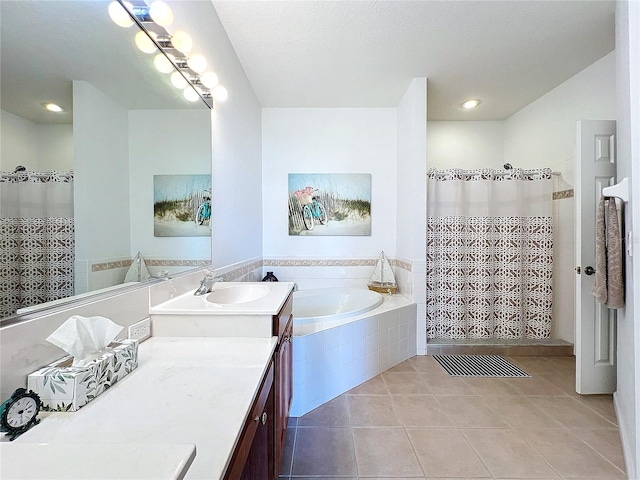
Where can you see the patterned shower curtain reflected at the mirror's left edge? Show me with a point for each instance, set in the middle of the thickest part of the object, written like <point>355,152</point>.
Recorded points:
<point>37,238</point>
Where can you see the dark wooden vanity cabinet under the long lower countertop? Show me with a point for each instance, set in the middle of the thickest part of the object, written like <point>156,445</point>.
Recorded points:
<point>253,458</point>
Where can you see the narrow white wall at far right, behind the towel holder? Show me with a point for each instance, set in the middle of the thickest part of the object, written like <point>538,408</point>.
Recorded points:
<point>627,395</point>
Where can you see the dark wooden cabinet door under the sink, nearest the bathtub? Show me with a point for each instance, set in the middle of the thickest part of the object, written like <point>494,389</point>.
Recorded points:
<point>284,390</point>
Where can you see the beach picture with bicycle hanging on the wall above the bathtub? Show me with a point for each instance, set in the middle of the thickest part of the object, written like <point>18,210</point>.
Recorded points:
<point>329,204</point>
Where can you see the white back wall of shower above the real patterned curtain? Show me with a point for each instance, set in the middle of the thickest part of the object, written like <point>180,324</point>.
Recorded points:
<point>465,144</point>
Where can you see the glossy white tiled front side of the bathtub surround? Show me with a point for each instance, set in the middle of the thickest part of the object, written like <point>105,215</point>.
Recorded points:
<point>330,362</point>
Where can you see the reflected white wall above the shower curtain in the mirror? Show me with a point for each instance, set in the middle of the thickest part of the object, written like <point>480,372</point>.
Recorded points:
<point>38,147</point>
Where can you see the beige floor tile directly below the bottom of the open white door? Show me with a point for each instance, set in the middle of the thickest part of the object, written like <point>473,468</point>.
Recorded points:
<point>571,413</point>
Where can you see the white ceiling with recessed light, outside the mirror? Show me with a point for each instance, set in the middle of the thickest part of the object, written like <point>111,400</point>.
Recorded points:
<point>365,53</point>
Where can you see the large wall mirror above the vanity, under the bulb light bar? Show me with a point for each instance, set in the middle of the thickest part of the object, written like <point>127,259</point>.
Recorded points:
<point>123,126</point>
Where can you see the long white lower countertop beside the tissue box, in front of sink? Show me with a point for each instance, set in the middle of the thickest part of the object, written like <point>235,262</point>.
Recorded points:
<point>185,391</point>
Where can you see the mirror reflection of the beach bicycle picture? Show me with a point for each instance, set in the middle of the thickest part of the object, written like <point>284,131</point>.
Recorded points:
<point>182,205</point>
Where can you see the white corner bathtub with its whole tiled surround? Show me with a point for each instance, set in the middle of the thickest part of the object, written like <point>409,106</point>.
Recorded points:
<point>343,337</point>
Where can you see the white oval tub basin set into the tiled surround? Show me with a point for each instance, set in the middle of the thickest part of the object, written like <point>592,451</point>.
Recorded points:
<point>323,304</point>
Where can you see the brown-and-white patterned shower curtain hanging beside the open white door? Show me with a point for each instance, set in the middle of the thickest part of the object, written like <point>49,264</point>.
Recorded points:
<point>489,256</point>
